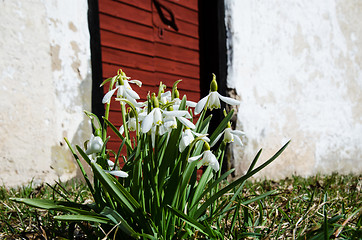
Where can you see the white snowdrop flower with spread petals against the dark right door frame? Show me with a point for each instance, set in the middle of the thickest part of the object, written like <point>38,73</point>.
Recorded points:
<point>212,100</point>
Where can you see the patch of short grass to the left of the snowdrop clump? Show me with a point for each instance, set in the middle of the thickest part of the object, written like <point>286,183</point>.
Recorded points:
<point>19,221</point>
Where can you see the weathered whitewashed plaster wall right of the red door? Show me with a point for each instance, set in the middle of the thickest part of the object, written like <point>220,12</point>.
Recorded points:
<point>297,67</point>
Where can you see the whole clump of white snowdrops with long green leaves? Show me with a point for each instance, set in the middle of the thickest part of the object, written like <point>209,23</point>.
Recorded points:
<point>149,188</point>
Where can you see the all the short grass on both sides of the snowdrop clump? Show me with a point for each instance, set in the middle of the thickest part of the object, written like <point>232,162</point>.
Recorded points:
<point>320,207</point>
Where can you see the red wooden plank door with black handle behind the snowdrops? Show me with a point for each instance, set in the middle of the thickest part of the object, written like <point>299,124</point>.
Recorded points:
<point>136,36</point>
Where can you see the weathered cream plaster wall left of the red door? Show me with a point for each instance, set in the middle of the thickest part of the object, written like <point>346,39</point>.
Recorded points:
<point>45,84</point>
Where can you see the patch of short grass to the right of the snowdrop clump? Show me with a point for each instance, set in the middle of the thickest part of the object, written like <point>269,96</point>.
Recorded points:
<point>314,208</point>
